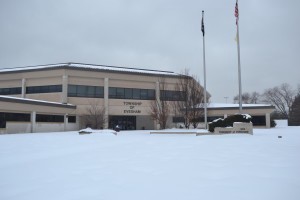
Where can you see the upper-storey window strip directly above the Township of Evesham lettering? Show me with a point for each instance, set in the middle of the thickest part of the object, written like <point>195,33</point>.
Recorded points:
<point>131,93</point>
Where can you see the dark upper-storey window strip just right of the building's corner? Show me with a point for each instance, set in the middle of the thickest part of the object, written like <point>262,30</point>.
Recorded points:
<point>85,91</point>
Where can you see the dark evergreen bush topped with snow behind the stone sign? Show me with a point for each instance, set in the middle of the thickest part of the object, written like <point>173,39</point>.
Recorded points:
<point>228,122</point>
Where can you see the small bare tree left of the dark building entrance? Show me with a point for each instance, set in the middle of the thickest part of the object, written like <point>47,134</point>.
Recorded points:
<point>94,115</point>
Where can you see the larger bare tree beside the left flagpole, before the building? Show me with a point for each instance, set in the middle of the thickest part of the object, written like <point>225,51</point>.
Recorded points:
<point>190,102</point>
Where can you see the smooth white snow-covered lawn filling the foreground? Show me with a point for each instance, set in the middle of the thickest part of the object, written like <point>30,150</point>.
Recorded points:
<point>138,166</point>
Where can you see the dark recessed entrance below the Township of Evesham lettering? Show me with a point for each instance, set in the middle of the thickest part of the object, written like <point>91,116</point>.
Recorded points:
<point>124,122</point>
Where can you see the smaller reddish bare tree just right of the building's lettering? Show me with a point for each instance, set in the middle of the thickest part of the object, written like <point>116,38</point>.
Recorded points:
<point>160,108</point>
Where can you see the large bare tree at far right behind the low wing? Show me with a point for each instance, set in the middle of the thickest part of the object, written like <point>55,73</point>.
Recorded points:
<point>281,97</point>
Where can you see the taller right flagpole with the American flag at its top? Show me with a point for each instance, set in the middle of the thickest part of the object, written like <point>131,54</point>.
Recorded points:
<point>239,59</point>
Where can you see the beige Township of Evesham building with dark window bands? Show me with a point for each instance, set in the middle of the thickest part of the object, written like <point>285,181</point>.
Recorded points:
<point>57,97</point>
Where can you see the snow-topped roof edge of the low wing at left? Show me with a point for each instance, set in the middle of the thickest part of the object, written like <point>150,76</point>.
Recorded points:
<point>35,102</point>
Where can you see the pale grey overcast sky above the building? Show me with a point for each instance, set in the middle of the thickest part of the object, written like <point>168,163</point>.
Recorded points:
<point>159,34</point>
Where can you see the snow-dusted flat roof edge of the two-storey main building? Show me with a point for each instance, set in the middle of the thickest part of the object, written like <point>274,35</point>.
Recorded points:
<point>90,67</point>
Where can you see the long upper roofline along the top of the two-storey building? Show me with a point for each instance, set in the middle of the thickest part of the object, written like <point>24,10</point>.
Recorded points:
<point>67,66</point>
